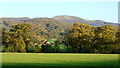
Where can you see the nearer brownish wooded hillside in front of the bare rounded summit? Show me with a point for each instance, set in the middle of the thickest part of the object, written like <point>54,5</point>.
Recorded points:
<point>47,27</point>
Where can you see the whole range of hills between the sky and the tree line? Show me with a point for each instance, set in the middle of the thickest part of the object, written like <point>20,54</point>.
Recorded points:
<point>51,27</point>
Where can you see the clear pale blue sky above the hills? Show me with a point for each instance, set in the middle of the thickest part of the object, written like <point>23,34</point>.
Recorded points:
<point>106,11</point>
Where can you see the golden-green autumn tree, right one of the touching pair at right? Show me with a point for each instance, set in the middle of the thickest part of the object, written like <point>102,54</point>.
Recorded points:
<point>104,37</point>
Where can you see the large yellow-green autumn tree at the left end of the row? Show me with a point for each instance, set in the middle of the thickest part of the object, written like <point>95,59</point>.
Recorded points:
<point>17,37</point>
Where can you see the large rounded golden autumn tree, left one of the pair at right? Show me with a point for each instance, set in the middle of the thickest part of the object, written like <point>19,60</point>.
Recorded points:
<point>80,35</point>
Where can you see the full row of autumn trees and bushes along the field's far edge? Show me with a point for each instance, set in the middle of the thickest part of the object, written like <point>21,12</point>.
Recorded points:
<point>80,38</point>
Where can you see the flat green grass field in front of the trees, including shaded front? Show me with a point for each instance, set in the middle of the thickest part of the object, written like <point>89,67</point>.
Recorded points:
<point>58,59</point>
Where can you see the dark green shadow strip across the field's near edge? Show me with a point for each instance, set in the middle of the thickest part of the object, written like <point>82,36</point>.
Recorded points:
<point>101,64</point>
